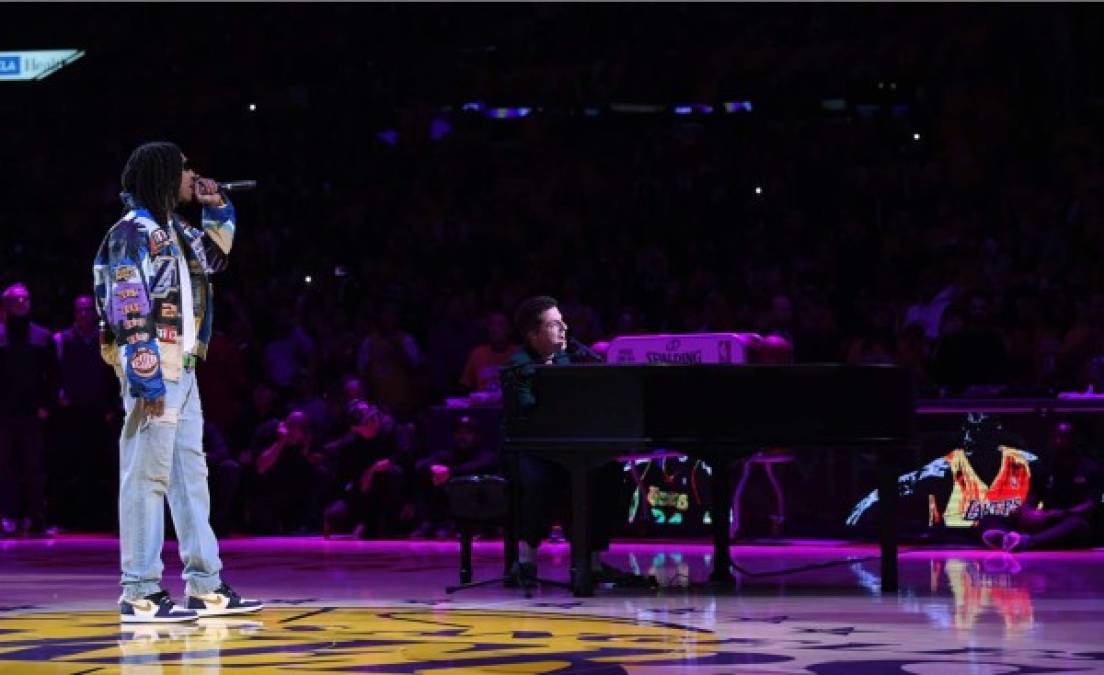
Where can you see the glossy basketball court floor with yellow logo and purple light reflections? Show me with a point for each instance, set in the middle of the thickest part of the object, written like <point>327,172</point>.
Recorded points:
<point>381,607</point>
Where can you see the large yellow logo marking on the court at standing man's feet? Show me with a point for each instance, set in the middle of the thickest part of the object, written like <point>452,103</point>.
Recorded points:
<point>385,640</point>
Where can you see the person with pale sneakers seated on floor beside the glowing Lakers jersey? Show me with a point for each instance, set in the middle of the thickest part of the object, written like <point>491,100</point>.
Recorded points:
<point>1064,508</point>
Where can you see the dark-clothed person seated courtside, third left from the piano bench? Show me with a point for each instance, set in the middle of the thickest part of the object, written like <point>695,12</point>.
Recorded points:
<point>291,476</point>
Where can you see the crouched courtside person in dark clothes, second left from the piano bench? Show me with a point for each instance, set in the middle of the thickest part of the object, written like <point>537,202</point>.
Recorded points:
<point>370,467</point>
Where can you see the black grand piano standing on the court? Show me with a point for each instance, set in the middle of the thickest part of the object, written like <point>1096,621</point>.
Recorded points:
<point>589,415</point>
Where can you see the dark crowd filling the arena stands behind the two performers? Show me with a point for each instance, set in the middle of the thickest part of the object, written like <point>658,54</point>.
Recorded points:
<point>957,229</point>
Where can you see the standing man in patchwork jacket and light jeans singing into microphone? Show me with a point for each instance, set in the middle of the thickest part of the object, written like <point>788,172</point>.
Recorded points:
<point>154,293</point>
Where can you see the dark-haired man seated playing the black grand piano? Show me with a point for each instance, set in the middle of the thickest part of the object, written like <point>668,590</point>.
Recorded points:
<point>545,487</point>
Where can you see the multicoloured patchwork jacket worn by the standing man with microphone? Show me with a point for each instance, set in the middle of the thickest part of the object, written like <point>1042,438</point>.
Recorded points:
<point>137,289</point>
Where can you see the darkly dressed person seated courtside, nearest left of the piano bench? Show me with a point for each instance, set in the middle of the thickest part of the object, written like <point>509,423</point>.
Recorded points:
<point>470,457</point>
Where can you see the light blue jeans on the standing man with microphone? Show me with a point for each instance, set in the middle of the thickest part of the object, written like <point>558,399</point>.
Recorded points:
<point>157,459</point>
